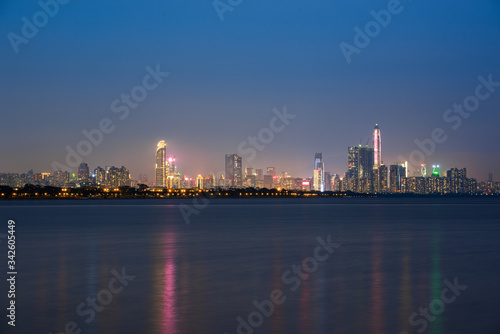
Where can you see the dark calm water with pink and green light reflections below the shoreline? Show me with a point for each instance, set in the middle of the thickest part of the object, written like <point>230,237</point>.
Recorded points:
<point>199,278</point>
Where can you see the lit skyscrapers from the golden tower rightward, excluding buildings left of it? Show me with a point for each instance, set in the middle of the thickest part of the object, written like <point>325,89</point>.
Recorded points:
<point>366,173</point>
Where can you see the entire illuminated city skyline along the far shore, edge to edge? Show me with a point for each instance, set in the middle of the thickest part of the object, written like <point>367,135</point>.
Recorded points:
<point>366,173</point>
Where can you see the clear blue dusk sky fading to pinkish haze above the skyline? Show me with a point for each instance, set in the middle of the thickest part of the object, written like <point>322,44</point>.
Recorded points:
<point>225,78</point>
